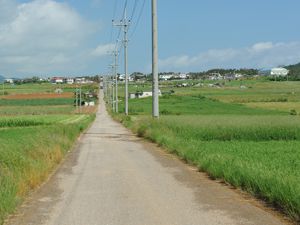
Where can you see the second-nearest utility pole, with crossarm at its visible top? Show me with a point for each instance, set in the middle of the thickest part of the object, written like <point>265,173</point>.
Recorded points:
<point>125,24</point>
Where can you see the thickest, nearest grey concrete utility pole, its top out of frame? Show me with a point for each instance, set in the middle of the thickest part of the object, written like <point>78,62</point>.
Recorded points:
<point>155,97</point>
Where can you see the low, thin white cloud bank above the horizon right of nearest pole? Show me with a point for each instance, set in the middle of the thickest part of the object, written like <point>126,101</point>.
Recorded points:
<point>259,55</point>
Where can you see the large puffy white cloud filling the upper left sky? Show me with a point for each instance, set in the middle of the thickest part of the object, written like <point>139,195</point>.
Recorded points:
<point>41,36</point>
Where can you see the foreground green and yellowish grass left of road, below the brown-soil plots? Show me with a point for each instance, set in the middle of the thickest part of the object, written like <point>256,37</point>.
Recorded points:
<point>28,154</point>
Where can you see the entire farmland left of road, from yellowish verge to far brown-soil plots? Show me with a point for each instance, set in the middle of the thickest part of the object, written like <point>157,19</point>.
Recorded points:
<point>37,128</point>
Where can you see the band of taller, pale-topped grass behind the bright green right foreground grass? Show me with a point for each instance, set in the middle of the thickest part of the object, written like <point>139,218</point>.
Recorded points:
<point>231,127</point>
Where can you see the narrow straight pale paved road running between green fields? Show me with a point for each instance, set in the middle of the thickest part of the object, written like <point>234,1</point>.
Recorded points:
<point>115,178</point>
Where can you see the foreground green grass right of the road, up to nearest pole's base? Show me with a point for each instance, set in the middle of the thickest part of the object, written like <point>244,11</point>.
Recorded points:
<point>260,154</point>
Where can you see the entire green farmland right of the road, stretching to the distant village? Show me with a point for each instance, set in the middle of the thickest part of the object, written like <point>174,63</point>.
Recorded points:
<point>245,133</point>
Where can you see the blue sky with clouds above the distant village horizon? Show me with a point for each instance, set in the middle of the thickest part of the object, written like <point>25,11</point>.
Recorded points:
<point>72,37</point>
